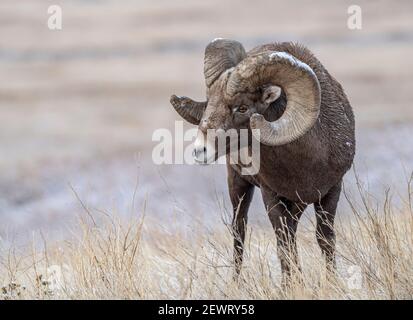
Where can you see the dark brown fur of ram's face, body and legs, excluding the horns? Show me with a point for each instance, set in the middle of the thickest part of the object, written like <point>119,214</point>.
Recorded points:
<point>306,171</point>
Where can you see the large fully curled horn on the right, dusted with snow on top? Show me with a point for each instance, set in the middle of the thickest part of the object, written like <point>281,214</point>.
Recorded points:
<point>300,85</point>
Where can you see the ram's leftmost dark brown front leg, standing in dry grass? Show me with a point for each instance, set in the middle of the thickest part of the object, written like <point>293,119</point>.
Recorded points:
<point>241,193</point>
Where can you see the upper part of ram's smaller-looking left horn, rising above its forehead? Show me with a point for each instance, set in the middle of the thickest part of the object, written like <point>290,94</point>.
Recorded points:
<point>220,55</point>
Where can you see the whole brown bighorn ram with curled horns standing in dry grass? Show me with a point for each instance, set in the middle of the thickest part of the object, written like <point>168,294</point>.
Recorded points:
<point>306,137</point>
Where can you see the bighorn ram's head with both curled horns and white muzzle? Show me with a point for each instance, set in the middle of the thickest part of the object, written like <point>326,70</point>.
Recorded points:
<point>240,89</point>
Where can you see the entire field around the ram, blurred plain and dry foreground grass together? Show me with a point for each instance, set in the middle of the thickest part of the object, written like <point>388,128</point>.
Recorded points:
<point>85,213</point>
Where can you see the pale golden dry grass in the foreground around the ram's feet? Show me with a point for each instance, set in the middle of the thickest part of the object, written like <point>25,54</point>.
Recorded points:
<point>113,259</point>
